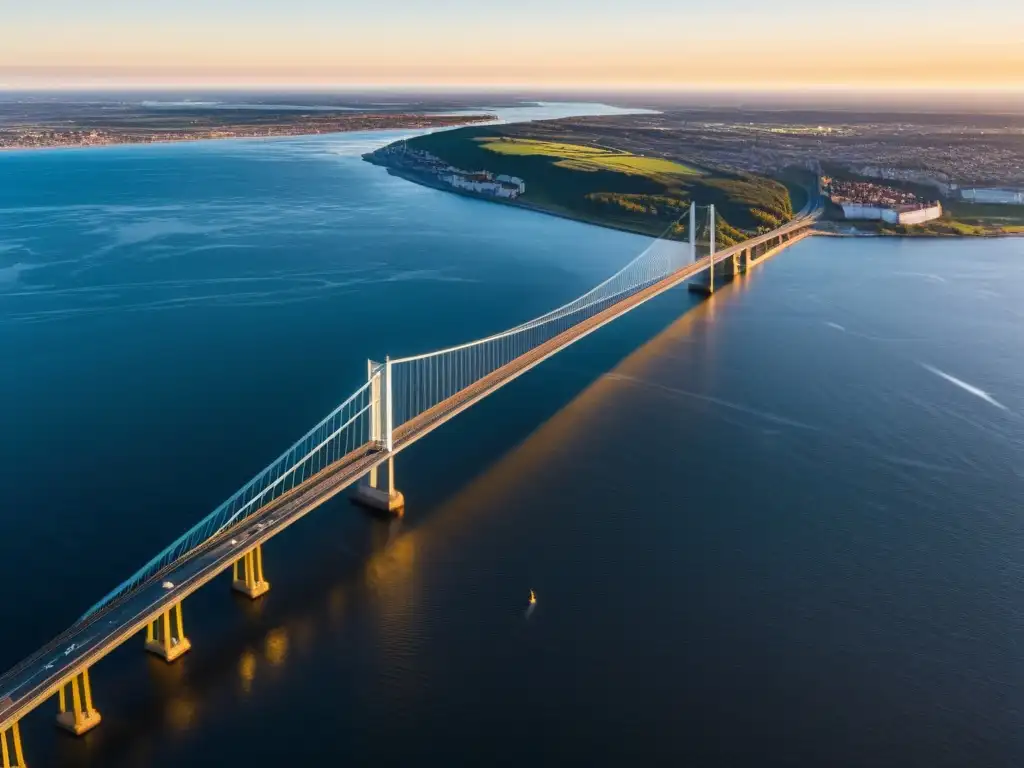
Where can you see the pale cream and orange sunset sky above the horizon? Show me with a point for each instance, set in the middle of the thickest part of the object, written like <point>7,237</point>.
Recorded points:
<point>537,44</point>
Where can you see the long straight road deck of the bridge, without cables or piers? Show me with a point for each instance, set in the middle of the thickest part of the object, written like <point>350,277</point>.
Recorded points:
<point>41,675</point>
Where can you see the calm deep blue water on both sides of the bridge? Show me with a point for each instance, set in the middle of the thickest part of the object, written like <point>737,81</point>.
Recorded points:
<point>779,528</point>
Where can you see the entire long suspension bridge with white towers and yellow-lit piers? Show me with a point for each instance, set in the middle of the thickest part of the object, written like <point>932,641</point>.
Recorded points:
<point>403,401</point>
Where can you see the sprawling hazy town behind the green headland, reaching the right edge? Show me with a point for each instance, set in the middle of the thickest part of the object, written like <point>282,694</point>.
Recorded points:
<point>969,158</point>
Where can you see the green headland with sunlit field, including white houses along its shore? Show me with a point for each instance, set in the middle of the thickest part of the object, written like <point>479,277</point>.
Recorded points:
<point>591,182</point>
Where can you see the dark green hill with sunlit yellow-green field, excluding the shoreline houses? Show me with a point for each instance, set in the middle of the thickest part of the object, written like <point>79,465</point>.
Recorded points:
<point>609,187</point>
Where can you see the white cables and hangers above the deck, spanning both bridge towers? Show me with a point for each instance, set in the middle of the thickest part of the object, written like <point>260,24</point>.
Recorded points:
<point>400,391</point>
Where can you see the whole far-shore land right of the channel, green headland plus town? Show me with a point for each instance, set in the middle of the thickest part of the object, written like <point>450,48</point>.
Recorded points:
<point>919,175</point>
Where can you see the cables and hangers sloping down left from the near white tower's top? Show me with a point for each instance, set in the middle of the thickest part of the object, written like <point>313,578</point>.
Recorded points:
<point>346,431</point>
